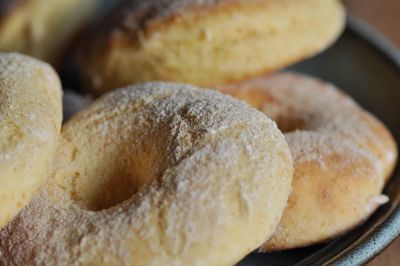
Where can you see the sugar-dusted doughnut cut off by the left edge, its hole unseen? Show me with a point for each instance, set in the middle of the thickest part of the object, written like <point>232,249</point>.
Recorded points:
<point>30,124</point>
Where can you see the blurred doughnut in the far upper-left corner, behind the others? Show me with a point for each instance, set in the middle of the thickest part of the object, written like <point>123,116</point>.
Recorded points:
<point>42,28</point>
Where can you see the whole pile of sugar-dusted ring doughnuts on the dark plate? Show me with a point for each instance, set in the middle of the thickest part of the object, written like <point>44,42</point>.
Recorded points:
<point>155,172</point>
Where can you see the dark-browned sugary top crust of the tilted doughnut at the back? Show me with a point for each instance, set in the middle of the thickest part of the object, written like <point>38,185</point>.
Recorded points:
<point>135,18</point>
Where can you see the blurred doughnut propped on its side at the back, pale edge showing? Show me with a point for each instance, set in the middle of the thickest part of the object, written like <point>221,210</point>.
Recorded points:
<point>204,42</point>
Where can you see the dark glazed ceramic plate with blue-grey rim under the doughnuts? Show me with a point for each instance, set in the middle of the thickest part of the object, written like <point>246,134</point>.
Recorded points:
<point>367,67</point>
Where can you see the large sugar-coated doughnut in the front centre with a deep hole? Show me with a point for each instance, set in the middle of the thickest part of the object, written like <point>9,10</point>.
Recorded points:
<point>157,174</point>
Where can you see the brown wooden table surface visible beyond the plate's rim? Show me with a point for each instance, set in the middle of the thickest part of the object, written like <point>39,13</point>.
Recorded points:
<point>383,15</point>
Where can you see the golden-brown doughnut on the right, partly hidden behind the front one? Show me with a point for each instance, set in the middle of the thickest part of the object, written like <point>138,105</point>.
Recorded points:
<point>342,156</point>
